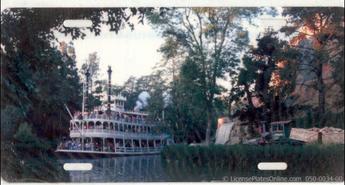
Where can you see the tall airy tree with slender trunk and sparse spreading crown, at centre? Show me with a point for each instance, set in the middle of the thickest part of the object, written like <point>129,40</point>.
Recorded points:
<point>211,38</point>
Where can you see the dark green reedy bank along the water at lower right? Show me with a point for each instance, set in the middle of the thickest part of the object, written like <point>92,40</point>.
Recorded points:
<point>214,162</point>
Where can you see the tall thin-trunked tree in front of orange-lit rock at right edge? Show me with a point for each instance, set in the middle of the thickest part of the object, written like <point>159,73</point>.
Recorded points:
<point>319,35</point>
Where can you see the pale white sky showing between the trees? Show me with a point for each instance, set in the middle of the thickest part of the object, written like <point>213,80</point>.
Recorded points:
<point>134,53</point>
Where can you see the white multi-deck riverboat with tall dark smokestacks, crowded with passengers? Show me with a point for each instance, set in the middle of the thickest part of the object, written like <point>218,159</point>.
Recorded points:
<point>112,130</point>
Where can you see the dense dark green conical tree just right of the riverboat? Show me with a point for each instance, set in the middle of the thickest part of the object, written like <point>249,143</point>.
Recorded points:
<point>185,113</point>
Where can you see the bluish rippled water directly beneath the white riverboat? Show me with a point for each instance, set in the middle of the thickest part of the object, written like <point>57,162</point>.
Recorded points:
<point>120,169</point>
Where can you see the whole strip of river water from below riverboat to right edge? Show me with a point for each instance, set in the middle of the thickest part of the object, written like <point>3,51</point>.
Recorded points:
<point>151,168</point>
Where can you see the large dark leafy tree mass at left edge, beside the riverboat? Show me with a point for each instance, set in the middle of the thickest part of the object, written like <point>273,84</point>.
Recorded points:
<point>37,86</point>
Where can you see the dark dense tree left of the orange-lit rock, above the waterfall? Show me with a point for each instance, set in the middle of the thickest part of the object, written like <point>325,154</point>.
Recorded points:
<point>269,68</point>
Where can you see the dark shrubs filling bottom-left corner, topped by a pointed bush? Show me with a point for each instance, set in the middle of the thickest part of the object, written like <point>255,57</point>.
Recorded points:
<point>29,158</point>
